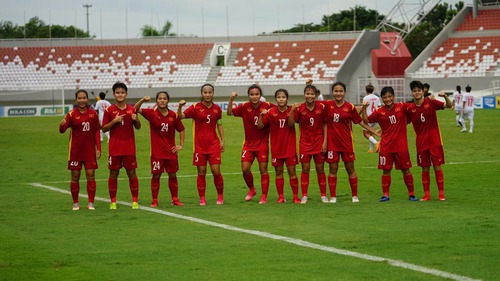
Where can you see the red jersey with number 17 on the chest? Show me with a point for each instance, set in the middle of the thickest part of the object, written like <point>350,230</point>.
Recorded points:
<point>283,142</point>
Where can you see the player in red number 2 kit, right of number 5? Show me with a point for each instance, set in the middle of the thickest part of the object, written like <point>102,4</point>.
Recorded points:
<point>256,143</point>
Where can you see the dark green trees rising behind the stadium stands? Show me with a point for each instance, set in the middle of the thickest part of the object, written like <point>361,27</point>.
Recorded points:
<point>357,18</point>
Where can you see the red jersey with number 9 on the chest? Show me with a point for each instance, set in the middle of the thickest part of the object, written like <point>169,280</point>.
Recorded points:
<point>311,127</point>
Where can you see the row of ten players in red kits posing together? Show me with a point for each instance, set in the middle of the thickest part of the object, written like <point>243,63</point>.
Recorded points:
<point>325,136</point>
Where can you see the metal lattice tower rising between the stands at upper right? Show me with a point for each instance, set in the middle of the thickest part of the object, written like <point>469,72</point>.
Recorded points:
<point>409,13</point>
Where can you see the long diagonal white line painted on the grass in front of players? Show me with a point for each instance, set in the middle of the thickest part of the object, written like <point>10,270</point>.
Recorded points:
<point>290,240</point>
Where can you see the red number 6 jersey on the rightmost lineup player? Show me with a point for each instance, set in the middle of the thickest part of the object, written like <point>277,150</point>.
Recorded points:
<point>425,124</point>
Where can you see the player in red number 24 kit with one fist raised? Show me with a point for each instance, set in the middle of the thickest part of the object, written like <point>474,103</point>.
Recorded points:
<point>163,123</point>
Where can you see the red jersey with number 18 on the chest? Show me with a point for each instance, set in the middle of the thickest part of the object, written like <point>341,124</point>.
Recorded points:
<point>339,126</point>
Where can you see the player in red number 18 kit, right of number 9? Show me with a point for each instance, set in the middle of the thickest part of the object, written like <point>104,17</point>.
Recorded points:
<point>340,115</point>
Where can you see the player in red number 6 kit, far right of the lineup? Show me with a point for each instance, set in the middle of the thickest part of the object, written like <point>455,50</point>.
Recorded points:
<point>422,114</point>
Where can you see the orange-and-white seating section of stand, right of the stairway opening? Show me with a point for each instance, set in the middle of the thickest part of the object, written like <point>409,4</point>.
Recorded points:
<point>286,62</point>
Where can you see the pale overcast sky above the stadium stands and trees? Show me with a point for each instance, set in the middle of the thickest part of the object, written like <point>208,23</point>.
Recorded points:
<point>113,19</point>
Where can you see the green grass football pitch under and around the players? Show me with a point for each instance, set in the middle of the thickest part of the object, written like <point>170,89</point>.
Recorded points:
<point>42,239</point>
